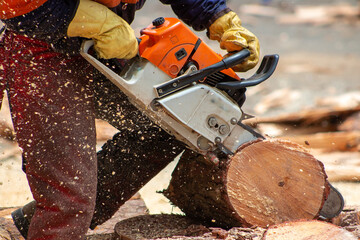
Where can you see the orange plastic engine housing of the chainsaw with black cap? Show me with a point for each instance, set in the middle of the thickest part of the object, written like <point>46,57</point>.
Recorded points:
<point>170,46</point>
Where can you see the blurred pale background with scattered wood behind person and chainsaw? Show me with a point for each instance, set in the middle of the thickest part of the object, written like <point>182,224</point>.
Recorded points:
<point>313,93</point>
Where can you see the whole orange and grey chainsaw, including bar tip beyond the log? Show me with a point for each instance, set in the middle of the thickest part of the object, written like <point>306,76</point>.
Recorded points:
<point>191,92</point>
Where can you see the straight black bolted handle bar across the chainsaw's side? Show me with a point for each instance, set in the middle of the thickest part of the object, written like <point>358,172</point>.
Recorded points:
<point>184,80</point>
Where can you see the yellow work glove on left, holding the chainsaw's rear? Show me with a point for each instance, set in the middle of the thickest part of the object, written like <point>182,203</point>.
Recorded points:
<point>113,37</point>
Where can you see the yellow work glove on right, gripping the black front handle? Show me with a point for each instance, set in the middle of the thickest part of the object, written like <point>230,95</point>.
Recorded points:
<point>233,37</point>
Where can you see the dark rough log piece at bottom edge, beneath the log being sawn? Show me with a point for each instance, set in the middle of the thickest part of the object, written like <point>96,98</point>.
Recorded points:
<point>171,227</point>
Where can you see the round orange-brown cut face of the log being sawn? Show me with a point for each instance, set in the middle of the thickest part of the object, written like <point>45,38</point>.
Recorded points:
<point>273,181</point>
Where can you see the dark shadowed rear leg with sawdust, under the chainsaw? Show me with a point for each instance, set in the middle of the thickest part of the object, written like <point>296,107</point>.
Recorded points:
<point>133,157</point>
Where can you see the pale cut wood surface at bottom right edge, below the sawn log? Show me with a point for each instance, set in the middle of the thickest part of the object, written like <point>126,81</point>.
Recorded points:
<point>304,230</point>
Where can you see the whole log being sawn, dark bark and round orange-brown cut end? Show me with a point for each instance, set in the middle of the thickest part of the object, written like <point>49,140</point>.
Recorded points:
<point>266,182</point>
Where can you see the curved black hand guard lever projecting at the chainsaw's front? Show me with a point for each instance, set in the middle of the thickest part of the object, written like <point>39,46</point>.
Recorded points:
<point>266,69</point>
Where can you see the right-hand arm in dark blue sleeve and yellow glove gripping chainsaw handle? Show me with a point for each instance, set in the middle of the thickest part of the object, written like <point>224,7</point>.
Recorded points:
<point>222,25</point>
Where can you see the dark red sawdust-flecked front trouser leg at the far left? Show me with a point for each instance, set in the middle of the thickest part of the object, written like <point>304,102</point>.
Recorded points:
<point>53,114</point>
